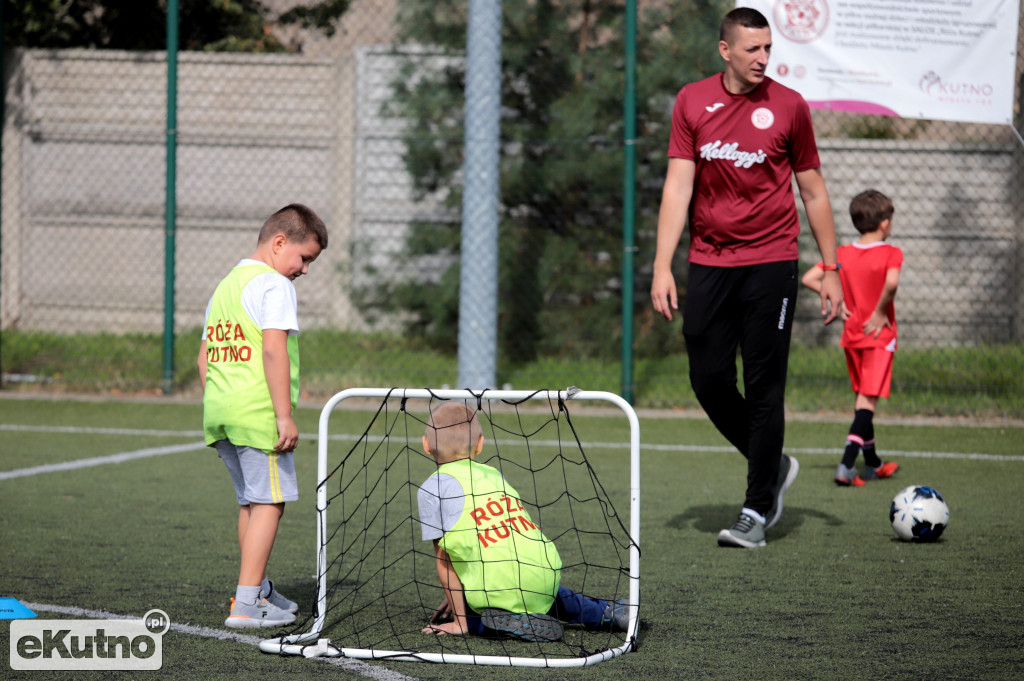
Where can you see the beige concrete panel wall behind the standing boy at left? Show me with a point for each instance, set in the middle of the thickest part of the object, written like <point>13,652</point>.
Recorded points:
<point>84,178</point>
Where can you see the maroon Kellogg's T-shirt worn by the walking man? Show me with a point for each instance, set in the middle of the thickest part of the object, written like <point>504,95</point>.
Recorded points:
<point>746,148</point>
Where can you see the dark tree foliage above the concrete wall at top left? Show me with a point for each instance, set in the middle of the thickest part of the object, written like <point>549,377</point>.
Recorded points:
<point>142,25</point>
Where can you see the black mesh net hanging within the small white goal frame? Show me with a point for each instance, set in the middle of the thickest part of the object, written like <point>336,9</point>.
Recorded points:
<point>380,578</point>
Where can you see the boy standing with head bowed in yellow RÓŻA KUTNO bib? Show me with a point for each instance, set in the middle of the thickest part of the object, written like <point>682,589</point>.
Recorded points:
<point>249,367</point>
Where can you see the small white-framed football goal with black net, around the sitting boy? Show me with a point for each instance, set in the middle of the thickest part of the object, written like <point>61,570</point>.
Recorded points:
<point>377,579</point>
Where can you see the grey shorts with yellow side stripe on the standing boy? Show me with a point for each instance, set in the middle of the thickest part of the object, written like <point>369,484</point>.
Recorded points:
<point>260,478</point>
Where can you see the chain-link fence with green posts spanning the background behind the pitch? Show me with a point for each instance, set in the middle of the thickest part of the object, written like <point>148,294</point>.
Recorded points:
<point>366,129</point>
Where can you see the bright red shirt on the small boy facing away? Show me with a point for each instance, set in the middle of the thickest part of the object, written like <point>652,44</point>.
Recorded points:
<point>864,277</point>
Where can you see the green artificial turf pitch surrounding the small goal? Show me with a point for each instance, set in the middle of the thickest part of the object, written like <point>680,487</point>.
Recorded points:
<point>833,597</point>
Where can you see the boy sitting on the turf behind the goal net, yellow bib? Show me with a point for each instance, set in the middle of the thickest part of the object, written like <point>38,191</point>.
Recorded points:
<point>498,570</point>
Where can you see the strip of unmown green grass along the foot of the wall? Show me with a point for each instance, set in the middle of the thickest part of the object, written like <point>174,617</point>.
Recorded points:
<point>982,382</point>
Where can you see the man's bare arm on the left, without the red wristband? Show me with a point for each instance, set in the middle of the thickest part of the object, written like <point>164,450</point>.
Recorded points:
<point>676,197</point>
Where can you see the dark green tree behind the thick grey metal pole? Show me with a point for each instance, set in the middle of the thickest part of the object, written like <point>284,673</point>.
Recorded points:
<point>562,164</point>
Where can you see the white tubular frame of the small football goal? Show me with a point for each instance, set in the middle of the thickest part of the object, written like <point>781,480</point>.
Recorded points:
<point>310,644</point>
